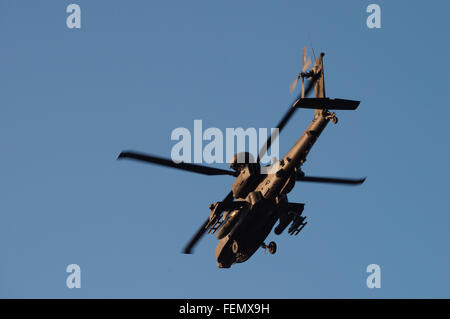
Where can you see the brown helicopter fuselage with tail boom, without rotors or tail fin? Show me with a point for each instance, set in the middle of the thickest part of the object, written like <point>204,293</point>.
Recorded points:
<point>264,205</point>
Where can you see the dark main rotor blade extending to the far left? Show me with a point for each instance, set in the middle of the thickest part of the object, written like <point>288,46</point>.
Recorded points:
<point>196,168</point>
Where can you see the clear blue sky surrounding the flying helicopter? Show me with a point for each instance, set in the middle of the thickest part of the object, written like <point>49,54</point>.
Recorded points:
<point>71,100</point>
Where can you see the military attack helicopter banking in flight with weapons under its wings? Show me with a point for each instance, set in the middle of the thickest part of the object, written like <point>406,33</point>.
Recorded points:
<point>258,198</point>
